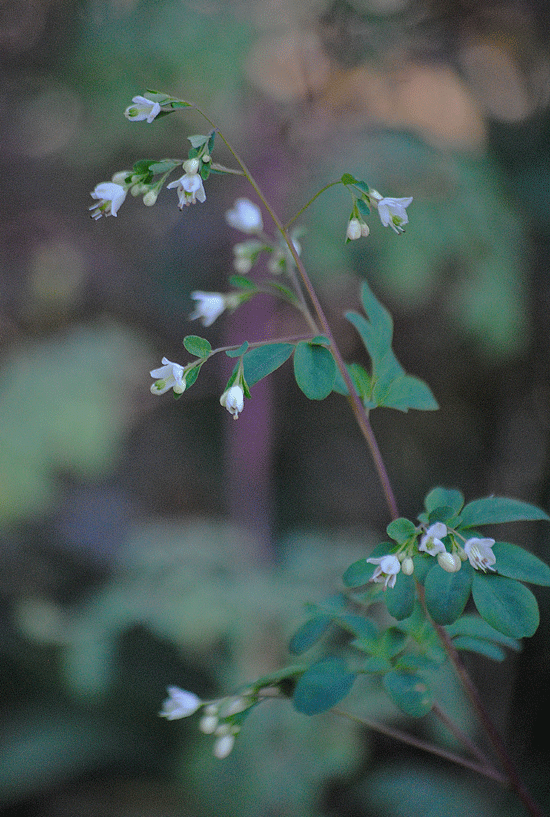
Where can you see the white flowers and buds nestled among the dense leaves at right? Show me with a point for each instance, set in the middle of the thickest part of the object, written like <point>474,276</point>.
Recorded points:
<point>479,552</point>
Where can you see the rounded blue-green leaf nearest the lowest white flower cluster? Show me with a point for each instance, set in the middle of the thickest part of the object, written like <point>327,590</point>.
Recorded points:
<point>322,686</point>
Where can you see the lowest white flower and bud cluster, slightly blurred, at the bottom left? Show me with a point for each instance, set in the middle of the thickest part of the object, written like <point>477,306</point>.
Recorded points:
<point>221,718</point>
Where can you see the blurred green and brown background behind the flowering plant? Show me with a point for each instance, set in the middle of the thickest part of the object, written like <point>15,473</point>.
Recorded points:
<point>147,542</point>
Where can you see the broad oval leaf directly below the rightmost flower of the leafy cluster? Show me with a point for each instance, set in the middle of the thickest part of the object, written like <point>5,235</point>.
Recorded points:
<point>506,605</point>
